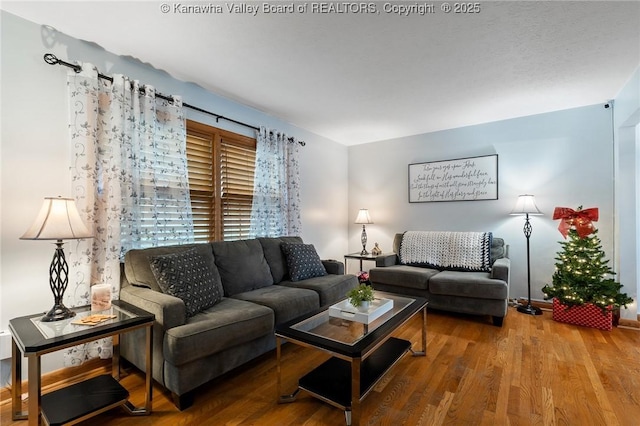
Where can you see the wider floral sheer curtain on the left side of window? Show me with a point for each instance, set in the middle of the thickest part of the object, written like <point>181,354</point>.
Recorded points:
<point>129,177</point>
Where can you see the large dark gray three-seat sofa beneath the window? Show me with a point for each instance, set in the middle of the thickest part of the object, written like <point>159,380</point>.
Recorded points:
<point>223,315</point>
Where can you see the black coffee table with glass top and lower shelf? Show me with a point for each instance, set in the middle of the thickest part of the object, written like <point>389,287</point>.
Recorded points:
<point>361,353</point>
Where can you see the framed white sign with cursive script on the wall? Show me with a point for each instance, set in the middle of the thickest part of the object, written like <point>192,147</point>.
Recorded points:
<point>463,179</point>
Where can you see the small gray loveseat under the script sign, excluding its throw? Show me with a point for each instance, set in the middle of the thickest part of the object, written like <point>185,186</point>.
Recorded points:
<point>451,289</point>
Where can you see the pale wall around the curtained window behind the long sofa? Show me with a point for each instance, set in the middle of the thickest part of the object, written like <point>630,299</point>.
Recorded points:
<point>35,155</point>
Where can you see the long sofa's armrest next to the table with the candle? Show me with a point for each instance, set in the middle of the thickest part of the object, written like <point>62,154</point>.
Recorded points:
<point>169,310</point>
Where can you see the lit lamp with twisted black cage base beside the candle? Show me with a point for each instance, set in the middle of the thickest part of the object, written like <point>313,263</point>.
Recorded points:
<point>58,220</point>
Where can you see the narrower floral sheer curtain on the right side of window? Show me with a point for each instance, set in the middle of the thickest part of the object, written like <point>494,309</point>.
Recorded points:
<point>276,189</point>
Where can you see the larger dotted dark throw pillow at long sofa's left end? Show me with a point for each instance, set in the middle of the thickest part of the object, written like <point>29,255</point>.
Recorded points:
<point>190,277</point>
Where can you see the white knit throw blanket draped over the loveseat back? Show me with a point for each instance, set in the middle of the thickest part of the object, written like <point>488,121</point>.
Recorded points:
<point>462,251</point>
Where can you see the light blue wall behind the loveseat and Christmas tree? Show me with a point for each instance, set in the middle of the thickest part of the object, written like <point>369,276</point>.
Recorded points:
<point>564,158</point>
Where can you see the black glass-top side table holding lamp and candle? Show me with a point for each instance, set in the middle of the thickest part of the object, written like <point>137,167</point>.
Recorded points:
<point>72,404</point>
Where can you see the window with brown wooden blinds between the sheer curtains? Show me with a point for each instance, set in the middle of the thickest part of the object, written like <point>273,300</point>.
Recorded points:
<point>221,166</point>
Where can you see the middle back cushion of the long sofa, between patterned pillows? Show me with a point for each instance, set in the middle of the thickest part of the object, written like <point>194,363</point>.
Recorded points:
<point>242,266</point>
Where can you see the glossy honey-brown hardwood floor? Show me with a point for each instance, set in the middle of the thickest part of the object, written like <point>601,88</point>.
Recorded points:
<point>532,371</point>
